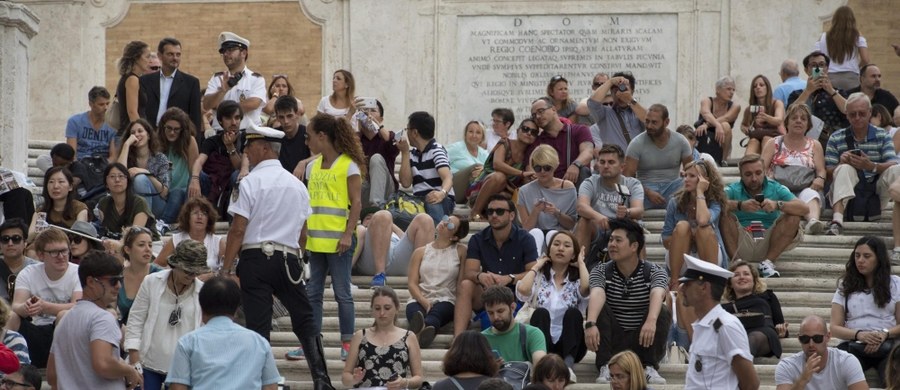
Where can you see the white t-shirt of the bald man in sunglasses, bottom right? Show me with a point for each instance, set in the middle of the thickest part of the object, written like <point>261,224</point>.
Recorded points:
<point>841,370</point>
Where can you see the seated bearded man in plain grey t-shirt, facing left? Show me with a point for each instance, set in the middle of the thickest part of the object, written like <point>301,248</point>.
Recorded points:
<point>656,156</point>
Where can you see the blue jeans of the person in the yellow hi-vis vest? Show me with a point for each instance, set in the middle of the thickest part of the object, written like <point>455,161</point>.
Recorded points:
<point>338,265</point>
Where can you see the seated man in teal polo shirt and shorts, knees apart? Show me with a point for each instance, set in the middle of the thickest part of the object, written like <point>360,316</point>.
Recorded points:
<point>757,198</point>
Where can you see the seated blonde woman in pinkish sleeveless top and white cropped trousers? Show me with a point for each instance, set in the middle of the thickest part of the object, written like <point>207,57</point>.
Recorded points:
<point>795,149</point>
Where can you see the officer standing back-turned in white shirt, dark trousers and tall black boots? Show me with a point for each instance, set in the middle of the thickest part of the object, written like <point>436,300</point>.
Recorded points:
<point>269,211</point>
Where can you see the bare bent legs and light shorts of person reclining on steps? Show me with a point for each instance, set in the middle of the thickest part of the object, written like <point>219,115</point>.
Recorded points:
<point>384,249</point>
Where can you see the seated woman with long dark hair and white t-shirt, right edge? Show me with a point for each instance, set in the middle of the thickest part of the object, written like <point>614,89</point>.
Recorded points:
<point>865,309</point>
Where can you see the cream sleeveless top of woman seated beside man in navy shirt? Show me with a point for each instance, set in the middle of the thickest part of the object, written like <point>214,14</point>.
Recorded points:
<point>438,274</point>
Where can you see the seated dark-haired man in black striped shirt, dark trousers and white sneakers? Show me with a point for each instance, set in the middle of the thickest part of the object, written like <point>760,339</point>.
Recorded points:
<point>626,310</point>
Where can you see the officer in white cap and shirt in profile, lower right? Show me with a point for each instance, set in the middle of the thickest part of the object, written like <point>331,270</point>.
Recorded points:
<point>720,352</point>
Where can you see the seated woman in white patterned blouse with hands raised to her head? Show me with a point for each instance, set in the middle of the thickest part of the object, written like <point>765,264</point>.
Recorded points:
<point>557,289</point>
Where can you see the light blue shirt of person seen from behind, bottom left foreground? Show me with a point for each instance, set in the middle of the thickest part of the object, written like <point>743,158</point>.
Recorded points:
<point>223,355</point>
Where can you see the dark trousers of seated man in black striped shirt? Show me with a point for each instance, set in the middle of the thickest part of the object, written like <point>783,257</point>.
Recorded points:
<point>614,339</point>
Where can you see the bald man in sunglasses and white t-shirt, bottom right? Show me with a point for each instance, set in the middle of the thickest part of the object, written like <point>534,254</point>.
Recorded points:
<point>819,366</point>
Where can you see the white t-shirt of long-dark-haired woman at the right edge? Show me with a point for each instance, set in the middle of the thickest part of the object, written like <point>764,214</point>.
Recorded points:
<point>863,313</point>
